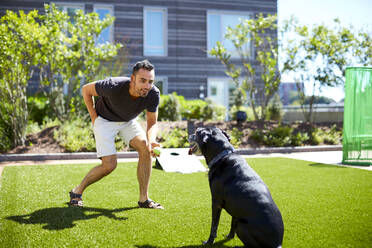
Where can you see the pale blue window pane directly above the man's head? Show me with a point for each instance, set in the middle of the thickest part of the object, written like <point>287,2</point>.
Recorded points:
<point>155,31</point>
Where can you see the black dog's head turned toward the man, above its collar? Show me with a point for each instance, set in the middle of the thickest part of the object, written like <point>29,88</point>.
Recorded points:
<point>209,141</point>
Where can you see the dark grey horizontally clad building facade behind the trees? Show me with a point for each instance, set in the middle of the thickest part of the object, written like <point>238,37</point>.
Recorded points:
<point>175,35</point>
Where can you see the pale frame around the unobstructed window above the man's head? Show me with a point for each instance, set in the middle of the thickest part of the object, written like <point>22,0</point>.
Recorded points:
<point>165,28</point>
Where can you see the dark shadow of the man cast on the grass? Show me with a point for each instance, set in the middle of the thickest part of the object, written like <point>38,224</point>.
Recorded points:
<point>64,217</point>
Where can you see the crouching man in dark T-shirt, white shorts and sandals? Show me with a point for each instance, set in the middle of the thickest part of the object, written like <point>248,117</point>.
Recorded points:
<point>120,101</point>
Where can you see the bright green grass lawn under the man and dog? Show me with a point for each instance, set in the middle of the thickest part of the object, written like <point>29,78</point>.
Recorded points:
<point>322,206</point>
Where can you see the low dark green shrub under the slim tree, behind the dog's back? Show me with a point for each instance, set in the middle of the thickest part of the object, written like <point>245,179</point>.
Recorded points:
<point>279,137</point>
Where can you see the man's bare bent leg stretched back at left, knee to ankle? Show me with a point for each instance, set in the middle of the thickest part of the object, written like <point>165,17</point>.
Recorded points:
<point>108,165</point>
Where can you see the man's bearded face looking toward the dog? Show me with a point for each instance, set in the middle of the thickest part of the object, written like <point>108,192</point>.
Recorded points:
<point>143,82</point>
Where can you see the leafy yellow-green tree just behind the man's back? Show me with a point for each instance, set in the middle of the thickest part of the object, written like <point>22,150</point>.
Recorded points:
<point>74,57</point>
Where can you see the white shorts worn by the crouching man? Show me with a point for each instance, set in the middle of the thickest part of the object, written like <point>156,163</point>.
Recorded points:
<point>105,132</point>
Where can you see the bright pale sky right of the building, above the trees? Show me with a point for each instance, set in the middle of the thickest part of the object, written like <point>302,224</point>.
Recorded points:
<point>309,12</point>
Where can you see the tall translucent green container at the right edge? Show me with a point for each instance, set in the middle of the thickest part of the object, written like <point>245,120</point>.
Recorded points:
<point>357,129</point>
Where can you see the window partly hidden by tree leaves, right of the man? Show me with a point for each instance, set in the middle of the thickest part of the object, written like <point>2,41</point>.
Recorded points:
<point>217,23</point>
